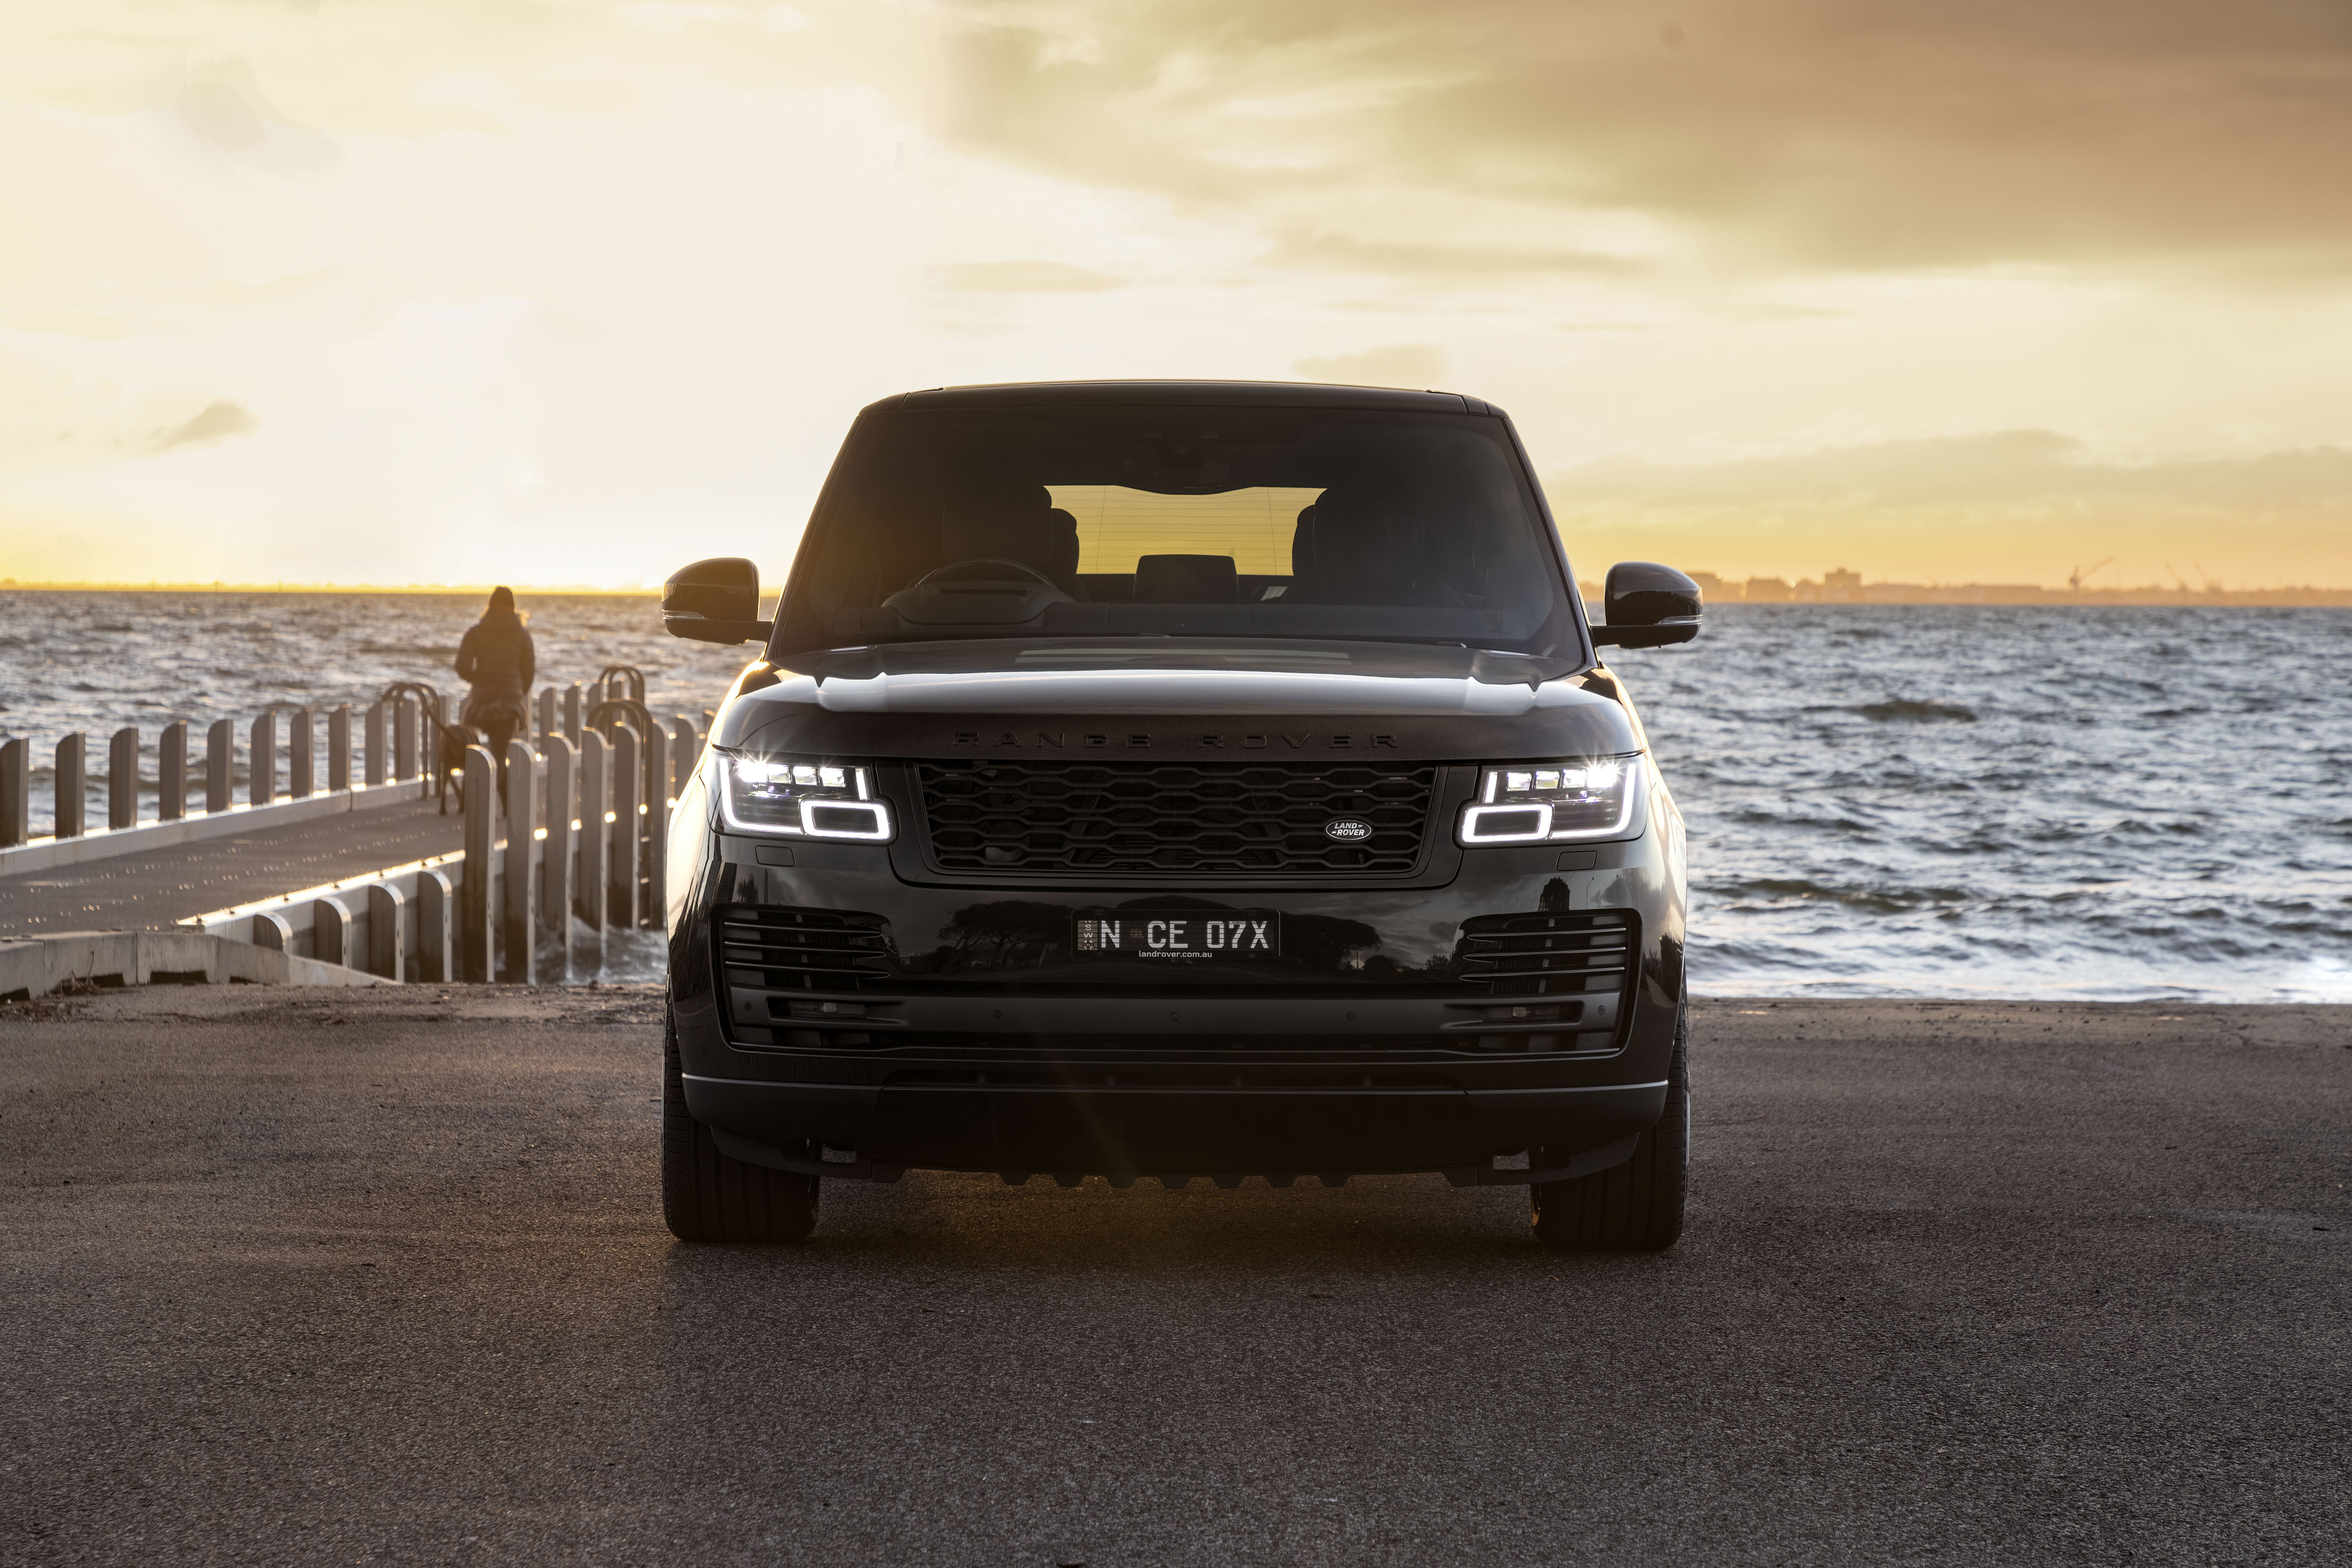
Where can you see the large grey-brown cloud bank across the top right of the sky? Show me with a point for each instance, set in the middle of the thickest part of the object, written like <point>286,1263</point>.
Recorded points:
<point>1815,133</point>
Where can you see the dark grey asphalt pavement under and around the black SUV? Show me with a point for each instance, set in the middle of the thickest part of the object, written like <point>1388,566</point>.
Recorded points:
<point>342,1278</point>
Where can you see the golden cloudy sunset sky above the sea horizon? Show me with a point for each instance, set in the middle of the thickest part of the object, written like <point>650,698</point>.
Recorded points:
<point>568,295</point>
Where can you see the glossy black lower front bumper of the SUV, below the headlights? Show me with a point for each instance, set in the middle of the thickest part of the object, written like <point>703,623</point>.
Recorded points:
<point>1382,1057</point>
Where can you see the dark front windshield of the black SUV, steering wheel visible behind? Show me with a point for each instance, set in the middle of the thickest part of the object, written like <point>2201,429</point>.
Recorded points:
<point>1180,521</point>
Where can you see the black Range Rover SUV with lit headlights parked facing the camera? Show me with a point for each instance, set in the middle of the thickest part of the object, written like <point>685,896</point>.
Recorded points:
<point>1184,782</point>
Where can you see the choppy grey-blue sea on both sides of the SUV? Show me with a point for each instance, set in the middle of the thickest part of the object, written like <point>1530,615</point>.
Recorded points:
<point>1883,800</point>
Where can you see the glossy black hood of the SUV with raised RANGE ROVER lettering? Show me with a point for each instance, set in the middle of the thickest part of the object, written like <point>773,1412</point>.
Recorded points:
<point>1177,702</point>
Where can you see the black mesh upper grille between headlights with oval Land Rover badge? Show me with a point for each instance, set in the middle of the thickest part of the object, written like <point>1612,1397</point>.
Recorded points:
<point>1090,819</point>
